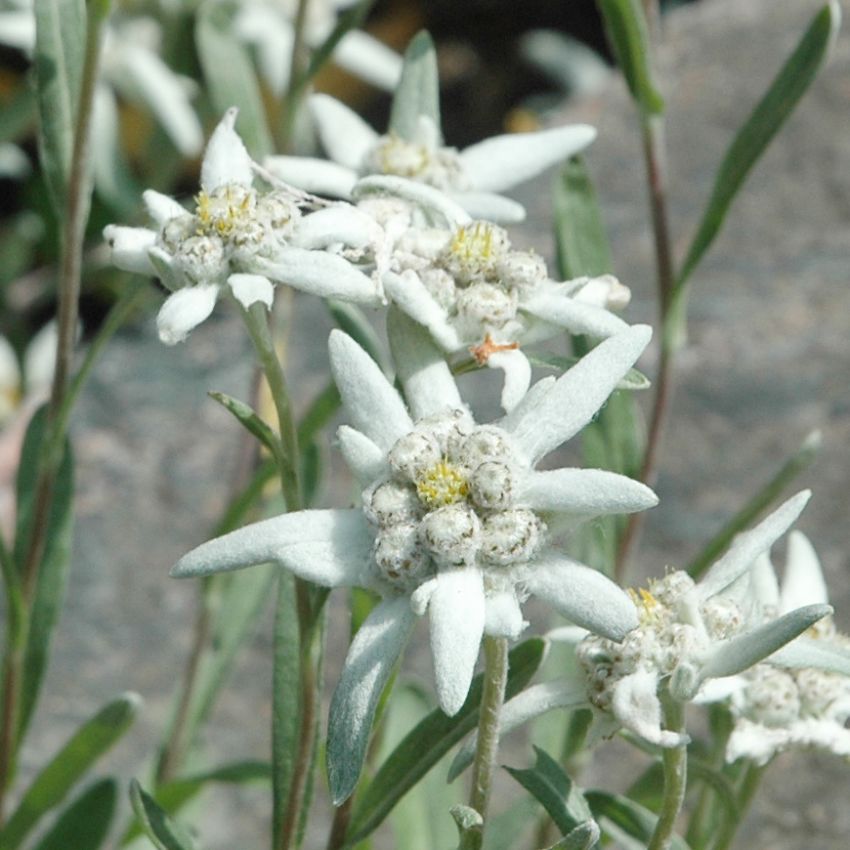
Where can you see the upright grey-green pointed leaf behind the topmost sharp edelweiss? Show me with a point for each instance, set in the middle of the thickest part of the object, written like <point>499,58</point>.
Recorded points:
<point>418,92</point>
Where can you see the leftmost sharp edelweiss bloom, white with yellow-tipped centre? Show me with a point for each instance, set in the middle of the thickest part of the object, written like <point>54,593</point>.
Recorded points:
<point>241,238</point>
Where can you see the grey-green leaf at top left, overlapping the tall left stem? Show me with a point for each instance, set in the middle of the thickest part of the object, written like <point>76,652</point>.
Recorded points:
<point>60,42</point>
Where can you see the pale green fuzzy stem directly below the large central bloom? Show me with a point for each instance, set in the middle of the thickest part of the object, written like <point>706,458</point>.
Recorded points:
<point>492,698</point>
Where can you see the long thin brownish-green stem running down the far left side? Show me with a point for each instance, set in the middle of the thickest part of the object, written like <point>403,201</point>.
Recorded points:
<point>71,250</point>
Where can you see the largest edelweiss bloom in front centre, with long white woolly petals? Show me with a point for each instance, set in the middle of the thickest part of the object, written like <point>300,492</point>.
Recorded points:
<point>456,521</point>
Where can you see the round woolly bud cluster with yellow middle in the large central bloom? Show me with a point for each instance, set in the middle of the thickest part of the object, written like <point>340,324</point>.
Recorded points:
<point>449,502</point>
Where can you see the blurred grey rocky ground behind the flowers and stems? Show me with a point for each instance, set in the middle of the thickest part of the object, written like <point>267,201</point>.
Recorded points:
<point>768,360</point>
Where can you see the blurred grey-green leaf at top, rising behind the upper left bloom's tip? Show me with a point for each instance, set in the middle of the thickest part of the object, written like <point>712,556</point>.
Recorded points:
<point>230,76</point>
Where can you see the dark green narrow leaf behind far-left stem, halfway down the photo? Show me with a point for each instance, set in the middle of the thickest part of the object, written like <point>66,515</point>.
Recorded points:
<point>53,570</point>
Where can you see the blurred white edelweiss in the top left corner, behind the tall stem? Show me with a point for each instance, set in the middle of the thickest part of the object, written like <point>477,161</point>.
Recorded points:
<point>130,65</point>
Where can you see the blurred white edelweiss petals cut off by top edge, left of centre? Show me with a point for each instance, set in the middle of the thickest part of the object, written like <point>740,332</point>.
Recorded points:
<point>267,26</point>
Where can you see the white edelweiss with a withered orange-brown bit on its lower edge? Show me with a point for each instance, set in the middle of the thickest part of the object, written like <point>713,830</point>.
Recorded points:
<point>474,292</point>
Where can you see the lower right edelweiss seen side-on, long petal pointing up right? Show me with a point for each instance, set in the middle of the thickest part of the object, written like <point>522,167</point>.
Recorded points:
<point>692,638</point>
